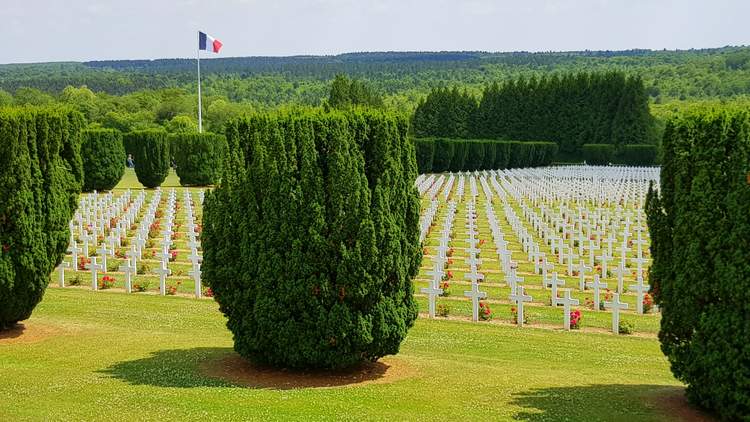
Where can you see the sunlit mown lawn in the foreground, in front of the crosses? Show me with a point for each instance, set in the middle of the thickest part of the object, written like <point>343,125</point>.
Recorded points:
<point>108,356</point>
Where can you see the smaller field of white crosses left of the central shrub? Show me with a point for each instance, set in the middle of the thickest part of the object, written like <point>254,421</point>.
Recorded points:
<point>136,242</point>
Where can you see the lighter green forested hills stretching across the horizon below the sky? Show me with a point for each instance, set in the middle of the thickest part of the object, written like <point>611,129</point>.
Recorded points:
<point>140,94</point>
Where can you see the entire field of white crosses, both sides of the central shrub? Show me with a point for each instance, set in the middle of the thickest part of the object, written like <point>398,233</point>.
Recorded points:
<point>499,246</point>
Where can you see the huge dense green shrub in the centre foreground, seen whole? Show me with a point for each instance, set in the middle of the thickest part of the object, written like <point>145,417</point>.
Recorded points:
<point>311,238</point>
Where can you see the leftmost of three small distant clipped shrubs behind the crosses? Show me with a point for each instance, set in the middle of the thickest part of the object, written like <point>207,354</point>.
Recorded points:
<point>103,159</point>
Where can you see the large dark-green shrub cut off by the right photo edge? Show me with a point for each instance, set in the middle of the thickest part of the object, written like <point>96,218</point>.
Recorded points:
<point>700,243</point>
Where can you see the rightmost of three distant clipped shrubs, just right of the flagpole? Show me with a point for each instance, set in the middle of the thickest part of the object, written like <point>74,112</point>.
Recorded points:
<point>199,157</point>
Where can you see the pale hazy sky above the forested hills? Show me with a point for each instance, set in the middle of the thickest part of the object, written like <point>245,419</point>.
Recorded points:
<point>79,30</point>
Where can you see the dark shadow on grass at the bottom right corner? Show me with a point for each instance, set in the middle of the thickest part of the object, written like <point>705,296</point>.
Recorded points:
<point>615,402</point>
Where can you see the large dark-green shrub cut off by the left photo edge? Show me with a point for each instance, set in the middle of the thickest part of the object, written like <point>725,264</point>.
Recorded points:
<point>41,176</point>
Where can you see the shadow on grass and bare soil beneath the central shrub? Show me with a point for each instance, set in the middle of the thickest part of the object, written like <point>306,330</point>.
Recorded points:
<point>222,367</point>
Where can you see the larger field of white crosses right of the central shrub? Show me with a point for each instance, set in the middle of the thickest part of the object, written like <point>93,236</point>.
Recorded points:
<point>560,246</point>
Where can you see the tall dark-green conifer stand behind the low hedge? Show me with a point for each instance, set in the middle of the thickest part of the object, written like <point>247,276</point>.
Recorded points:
<point>570,110</point>
